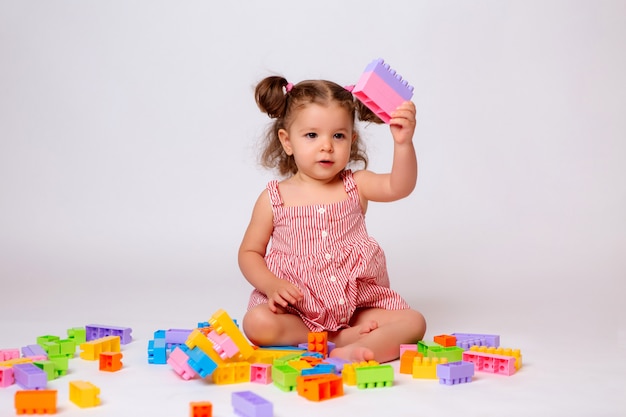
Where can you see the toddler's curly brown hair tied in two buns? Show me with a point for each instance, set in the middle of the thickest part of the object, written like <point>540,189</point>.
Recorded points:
<point>273,98</point>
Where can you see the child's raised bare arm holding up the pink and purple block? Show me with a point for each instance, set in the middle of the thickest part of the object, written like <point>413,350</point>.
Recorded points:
<point>400,182</point>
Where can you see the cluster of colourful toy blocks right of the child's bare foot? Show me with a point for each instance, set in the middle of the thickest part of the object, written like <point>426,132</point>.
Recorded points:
<point>454,358</point>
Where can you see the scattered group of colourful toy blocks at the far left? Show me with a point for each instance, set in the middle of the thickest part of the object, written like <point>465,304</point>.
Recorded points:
<point>48,359</point>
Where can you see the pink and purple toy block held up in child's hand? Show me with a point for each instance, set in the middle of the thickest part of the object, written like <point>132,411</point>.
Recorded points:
<point>381,89</point>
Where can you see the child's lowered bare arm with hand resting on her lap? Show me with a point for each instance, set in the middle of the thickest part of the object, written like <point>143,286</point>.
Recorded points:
<point>252,258</point>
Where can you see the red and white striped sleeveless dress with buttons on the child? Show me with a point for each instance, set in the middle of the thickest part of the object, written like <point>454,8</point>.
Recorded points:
<point>326,252</point>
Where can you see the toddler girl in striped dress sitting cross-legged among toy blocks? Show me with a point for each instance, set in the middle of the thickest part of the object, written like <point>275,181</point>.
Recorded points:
<point>322,271</point>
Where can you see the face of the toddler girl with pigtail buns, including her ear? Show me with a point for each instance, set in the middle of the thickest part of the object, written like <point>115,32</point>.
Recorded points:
<point>320,139</point>
